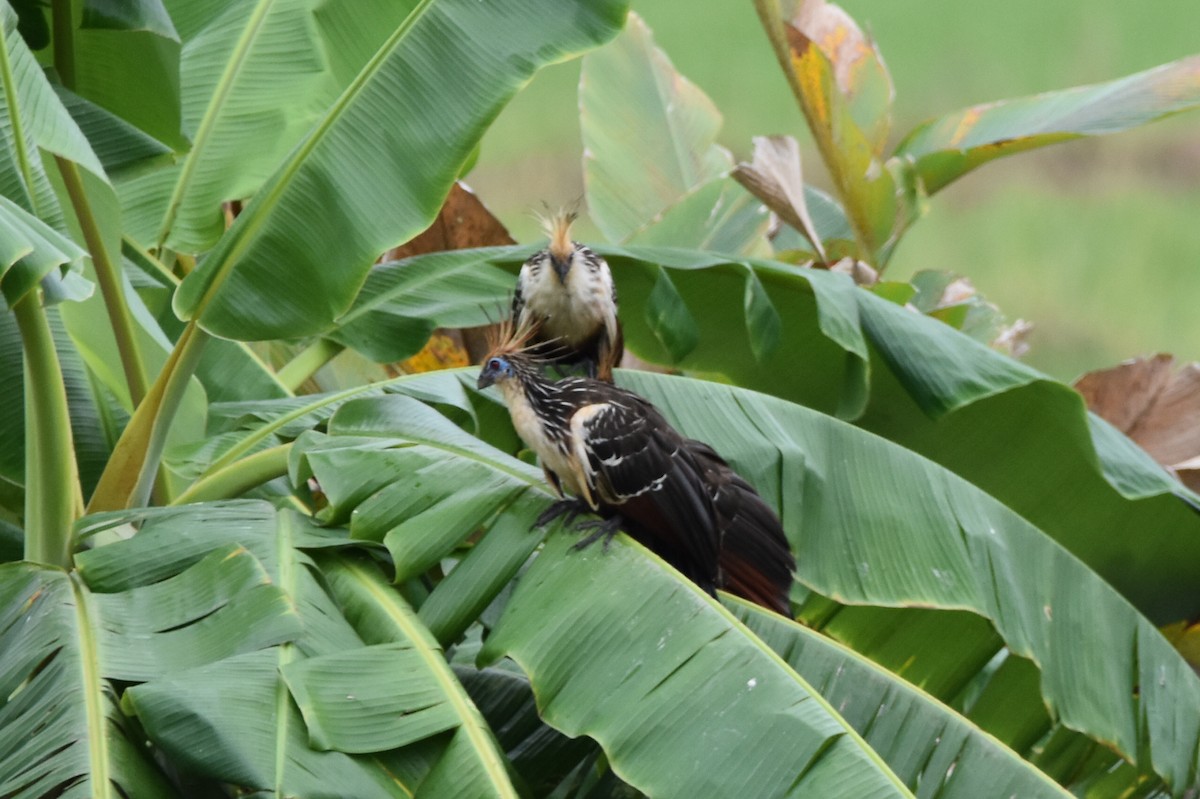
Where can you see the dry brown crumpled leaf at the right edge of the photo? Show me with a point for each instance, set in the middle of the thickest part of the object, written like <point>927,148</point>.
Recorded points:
<point>1155,405</point>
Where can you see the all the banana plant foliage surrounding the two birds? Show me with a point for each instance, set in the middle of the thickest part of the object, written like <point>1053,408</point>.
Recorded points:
<point>220,580</point>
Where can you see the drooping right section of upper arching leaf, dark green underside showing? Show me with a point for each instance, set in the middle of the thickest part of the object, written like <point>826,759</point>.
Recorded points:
<point>1030,442</point>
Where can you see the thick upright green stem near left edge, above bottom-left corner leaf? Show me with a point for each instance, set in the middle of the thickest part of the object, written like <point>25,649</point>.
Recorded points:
<point>52,474</point>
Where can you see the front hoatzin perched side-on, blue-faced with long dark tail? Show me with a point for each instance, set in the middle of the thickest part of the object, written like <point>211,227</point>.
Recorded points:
<point>616,455</point>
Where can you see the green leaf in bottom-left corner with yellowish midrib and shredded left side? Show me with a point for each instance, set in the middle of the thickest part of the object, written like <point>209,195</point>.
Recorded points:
<point>67,636</point>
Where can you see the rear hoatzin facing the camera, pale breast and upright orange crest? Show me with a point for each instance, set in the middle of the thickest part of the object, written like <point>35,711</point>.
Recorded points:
<point>567,298</point>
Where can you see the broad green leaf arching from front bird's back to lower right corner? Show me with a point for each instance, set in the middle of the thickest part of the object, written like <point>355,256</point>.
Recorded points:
<point>953,548</point>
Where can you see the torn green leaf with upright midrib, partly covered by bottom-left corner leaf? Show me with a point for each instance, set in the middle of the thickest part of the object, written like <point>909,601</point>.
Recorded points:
<point>231,720</point>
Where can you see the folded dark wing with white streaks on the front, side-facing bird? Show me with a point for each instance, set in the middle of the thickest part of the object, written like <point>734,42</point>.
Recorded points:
<point>638,465</point>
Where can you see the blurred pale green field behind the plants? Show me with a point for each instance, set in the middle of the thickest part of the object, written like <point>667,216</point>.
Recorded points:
<point>1096,242</point>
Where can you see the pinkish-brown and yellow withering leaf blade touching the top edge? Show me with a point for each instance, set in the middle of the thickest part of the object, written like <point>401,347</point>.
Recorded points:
<point>860,71</point>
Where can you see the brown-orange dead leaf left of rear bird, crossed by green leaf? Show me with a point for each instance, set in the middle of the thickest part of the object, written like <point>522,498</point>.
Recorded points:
<point>463,224</point>
